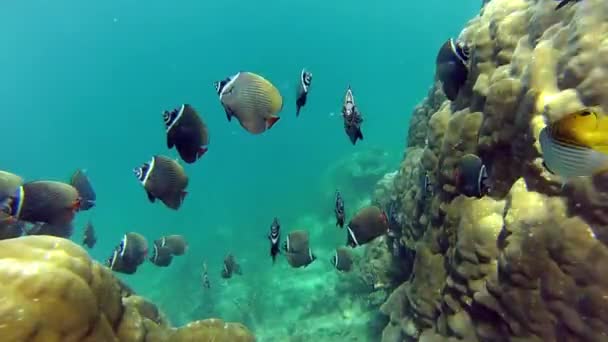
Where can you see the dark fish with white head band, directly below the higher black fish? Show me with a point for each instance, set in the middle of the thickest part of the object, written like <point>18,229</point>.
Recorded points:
<point>165,179</point>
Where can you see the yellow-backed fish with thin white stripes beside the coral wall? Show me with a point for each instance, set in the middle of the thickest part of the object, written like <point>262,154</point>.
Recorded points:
<point>576,145</point>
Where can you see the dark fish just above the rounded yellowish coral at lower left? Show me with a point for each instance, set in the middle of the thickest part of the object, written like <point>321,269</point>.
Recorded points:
<point>129,254</point>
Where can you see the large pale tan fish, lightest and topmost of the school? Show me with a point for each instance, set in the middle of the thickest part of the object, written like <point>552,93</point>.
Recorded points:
<point>252,99</point>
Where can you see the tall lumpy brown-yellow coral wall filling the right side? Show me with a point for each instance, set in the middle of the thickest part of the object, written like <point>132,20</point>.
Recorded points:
<point>528,261</point>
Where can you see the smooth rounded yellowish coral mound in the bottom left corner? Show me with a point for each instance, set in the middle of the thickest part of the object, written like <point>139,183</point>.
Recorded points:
<point>53,291</point>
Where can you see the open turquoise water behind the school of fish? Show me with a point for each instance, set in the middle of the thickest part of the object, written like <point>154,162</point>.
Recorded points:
<point>84,84</point>
